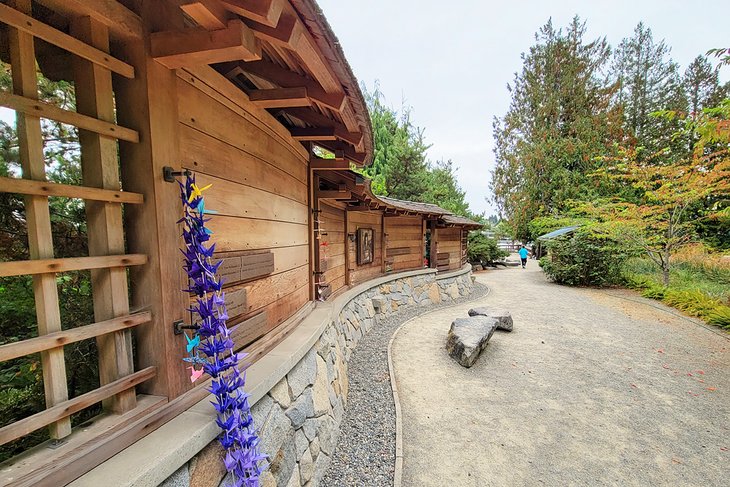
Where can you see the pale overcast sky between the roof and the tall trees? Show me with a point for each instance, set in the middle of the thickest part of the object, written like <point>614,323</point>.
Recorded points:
<point>451,60</point>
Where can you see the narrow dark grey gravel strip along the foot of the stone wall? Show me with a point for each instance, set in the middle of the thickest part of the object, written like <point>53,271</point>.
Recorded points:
<point>365,453</point>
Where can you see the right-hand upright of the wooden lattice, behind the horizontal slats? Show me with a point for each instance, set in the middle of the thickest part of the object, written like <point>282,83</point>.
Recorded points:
<point>100,169</point>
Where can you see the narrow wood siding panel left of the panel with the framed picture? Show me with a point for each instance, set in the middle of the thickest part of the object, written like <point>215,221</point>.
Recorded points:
<point>332,253</point>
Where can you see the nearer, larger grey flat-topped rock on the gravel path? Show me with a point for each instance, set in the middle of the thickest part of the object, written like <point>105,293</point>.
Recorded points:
<point>468,337</point>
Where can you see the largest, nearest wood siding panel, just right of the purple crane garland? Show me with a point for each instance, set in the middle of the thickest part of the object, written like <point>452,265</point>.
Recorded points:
<point>259,177</point>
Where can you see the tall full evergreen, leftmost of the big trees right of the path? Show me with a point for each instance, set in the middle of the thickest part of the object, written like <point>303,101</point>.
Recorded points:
<point>560,119</point>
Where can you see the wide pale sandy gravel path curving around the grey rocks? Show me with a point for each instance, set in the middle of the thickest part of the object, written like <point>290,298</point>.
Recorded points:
<point>589,389</point>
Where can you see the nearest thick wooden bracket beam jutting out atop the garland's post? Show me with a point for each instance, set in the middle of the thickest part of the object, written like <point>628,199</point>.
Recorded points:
<point>195,47</point>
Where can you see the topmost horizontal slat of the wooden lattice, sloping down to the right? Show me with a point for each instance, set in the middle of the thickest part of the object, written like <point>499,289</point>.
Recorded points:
<point>28,24</point>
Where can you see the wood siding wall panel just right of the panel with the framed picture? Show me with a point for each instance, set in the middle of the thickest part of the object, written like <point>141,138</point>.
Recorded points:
<point>405,242</point>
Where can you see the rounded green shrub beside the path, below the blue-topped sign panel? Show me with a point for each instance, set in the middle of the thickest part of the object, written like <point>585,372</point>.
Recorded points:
<point>585,258</point>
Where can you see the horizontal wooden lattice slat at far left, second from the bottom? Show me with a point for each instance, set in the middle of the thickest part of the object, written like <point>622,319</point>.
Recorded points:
<point>65,337</point>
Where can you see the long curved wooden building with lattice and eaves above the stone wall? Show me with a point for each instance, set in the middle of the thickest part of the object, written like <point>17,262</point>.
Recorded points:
<point>246,94</point>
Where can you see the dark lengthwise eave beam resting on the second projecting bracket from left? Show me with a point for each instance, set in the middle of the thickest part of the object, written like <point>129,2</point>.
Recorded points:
<point>288,79</point>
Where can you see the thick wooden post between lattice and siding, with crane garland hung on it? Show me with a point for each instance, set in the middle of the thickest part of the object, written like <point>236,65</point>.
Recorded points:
<point>148,103</point>
